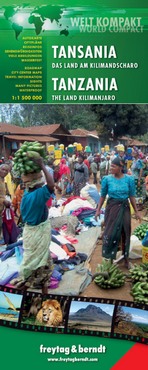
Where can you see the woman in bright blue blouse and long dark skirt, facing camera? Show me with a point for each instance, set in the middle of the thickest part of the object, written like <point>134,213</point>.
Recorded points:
<point>119,187</point>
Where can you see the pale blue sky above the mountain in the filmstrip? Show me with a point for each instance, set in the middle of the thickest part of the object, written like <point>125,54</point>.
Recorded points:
<point>76,305</point>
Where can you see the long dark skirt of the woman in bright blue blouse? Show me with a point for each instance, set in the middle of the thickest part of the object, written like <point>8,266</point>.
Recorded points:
<point>117,225</point>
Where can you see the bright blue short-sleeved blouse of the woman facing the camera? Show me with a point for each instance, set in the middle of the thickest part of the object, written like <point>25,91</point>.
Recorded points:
<point>122,188</point>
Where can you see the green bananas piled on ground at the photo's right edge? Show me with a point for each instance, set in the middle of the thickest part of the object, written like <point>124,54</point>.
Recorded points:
<point>139,276</point>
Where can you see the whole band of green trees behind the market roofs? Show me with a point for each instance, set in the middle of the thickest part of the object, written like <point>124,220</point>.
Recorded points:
<point>119,119</point>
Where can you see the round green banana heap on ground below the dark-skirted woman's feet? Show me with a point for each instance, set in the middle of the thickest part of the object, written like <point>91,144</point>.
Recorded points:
<point>109,276</point>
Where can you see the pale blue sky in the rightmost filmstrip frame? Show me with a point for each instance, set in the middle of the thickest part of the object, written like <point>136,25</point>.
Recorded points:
<point>137,314</point>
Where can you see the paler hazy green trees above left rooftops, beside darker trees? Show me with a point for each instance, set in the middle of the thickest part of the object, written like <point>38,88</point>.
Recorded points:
<point>71,116</point>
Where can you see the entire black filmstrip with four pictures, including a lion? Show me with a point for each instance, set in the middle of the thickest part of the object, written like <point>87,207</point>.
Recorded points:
<point>60,314</point>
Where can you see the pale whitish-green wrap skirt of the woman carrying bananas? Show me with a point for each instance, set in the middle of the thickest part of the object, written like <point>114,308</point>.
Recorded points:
<point>36,256</point>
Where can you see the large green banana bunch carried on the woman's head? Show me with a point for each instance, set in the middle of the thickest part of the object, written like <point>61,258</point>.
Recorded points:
<point>23,162</point>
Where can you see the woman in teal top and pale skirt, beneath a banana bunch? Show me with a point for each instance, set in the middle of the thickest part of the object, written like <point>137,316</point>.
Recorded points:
<point>36,267</point>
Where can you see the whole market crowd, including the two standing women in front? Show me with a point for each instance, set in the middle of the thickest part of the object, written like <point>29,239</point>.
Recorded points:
<point>120,176</point>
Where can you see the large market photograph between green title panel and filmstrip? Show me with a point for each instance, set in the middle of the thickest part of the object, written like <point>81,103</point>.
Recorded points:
<point>74,200</point>
